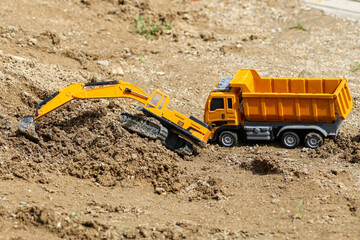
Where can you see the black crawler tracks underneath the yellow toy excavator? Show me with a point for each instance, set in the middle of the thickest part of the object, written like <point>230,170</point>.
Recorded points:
<point>152,130</point>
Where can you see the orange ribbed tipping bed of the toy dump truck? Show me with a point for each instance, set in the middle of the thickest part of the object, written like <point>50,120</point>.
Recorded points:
<point>292,99</point>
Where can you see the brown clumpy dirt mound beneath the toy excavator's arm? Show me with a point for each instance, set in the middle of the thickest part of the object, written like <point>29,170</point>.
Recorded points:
<point>92,146</point>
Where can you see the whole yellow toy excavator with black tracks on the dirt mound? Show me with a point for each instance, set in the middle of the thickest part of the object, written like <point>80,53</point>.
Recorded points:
<point>174,130</point>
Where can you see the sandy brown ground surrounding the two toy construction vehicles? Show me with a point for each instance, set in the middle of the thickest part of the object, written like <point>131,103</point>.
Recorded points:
<point>89,178</point>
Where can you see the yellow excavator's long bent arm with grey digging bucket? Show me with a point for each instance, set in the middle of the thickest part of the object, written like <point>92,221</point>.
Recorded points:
<point>91,90</point>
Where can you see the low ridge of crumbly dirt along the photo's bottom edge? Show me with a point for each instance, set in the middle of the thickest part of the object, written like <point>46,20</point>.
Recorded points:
<point>72,227</point>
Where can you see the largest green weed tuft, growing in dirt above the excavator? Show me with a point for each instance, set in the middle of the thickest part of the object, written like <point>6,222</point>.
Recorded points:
<point>145,27</point>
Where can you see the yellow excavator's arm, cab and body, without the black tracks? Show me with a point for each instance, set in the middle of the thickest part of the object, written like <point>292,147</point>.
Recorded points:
<point>155,106</point>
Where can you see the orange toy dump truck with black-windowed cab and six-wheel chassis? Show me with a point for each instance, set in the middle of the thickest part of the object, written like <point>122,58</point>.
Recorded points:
<point>250,107</point>
